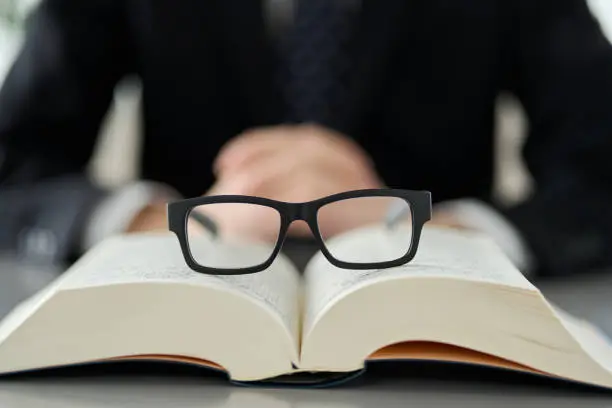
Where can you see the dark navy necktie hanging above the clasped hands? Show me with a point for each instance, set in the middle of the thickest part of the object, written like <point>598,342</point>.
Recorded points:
<point>316,61</point>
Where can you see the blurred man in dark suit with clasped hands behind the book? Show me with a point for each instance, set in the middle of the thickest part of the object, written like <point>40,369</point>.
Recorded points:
<point>399,93</point>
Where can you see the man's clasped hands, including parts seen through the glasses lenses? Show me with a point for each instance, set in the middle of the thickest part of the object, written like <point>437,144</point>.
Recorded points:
<point>294,164</point>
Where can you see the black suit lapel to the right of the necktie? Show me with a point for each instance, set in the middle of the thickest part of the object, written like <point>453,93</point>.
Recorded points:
<point>378,30</point>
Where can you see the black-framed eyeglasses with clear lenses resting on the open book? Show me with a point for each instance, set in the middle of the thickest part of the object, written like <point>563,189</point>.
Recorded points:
<point>381,228</point>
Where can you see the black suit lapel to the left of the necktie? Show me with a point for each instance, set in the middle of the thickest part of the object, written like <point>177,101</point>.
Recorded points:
<point>251,58</point>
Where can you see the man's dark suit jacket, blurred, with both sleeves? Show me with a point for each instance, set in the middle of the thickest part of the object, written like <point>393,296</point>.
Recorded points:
<point>425,77</point>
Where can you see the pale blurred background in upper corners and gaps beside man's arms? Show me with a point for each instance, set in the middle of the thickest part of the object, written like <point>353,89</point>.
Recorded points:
<point>115,161</point>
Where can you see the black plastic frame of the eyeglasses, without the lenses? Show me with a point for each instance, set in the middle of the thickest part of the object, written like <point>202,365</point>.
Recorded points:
<point>178,212</point>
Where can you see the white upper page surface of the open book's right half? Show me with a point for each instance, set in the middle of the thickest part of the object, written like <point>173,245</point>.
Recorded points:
<point>443,253</point>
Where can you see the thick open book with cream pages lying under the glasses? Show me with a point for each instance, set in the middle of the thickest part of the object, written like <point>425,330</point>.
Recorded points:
<point>459,300</point>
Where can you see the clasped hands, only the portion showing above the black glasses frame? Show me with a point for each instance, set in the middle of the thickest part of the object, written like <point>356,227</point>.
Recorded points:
<point>268,161</point>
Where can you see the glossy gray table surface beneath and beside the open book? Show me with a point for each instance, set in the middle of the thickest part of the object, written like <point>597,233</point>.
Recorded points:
<point>587,296</point>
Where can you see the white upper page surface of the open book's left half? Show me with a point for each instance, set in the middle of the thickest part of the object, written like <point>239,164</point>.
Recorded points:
<point>157,258</point>
